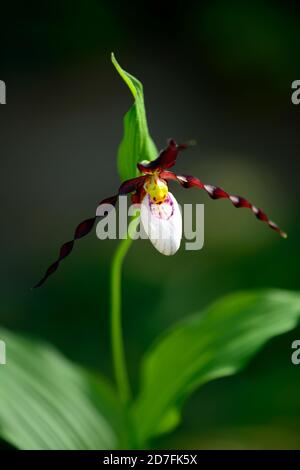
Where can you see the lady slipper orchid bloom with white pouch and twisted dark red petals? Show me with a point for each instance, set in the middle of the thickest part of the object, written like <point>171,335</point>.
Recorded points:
<point>160,213</point>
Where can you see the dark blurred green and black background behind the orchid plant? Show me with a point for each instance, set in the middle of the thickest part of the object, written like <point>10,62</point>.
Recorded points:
<point>219,72</point>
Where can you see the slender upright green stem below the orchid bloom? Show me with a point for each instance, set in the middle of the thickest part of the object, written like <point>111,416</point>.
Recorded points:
<point>119,361</point>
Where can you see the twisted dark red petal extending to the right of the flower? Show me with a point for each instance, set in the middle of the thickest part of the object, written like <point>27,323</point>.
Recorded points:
<point>218,193</point>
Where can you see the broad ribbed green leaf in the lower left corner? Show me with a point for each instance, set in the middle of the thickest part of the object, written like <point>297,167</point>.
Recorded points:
<point>46,402</point>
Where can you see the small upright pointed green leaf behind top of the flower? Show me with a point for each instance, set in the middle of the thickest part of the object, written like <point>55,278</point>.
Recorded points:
<point>137,144</point>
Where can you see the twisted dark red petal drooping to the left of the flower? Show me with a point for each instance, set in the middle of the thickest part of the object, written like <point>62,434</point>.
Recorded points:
<point>85,227</point>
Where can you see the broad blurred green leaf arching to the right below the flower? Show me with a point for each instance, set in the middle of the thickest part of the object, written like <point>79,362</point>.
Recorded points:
<point>215,343</point>
